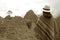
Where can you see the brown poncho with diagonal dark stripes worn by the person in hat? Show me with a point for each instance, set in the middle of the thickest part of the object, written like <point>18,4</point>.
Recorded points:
<point>46,28</point>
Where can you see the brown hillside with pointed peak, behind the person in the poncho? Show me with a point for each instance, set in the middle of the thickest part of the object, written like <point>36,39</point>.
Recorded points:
<point>18,28</point>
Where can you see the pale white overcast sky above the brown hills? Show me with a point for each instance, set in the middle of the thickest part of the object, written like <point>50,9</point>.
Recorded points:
<point>20,7</point>
